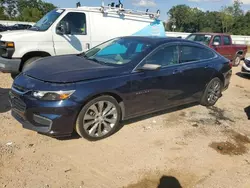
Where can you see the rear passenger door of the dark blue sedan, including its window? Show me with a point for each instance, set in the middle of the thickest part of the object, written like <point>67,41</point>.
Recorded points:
<point>196,64</point>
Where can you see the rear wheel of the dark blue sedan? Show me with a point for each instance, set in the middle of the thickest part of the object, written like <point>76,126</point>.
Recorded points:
<point>209,92</point>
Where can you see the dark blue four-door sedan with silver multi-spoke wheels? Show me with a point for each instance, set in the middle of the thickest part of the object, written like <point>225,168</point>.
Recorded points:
<point>117,80</point>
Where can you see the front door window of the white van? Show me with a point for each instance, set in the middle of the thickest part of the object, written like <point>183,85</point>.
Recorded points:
<point>77,23</point>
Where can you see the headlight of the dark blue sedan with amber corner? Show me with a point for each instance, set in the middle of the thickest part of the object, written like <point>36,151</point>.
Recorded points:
<point>52,95</point>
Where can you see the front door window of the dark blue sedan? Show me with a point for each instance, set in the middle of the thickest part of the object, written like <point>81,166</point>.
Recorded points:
<point>164,56</point>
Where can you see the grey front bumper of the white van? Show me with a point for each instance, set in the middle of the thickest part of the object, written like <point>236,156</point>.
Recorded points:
<point>9,65</point>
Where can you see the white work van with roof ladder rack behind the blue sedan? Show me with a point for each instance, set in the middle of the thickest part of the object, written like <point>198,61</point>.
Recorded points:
<point>73,31</point>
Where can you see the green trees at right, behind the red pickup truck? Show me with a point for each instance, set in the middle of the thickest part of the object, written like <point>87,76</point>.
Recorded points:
<point>230,19</point>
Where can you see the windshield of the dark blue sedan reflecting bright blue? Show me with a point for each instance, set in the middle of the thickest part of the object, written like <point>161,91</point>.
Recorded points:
<point>118,51</point>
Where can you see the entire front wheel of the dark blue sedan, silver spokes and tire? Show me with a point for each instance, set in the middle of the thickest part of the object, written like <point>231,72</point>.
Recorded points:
<point>99,118</point>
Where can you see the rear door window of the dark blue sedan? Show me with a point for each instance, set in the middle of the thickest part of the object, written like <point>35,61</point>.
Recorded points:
<point>192,53</point>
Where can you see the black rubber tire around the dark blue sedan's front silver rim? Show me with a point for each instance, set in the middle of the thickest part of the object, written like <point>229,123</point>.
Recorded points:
<point>80,120</point>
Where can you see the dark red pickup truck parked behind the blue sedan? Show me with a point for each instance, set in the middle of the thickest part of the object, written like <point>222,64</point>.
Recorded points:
<point>222,43</point>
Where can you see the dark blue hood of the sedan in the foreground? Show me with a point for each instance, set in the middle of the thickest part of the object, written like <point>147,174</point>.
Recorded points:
<point>69,68</point>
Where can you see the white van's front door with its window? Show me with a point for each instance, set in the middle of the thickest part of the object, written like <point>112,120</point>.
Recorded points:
<point>79,38</point>
